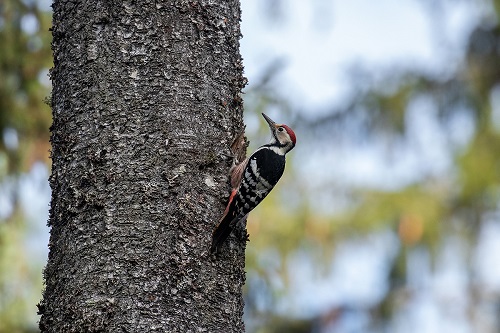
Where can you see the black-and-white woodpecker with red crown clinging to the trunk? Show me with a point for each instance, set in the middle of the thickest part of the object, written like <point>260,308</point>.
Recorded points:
<point>253,179</point>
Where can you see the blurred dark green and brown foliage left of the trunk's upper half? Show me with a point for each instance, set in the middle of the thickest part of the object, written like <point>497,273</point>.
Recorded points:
<point>24,61</point>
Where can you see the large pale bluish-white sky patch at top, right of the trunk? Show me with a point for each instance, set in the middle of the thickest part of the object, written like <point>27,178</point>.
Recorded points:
<point>319,39</point>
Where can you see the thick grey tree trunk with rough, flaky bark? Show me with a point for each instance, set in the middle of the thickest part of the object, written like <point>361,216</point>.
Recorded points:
<point>146,103</point>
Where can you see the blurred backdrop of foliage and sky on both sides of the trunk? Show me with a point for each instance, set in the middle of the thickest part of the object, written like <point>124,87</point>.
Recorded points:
<point>388,216</point>
